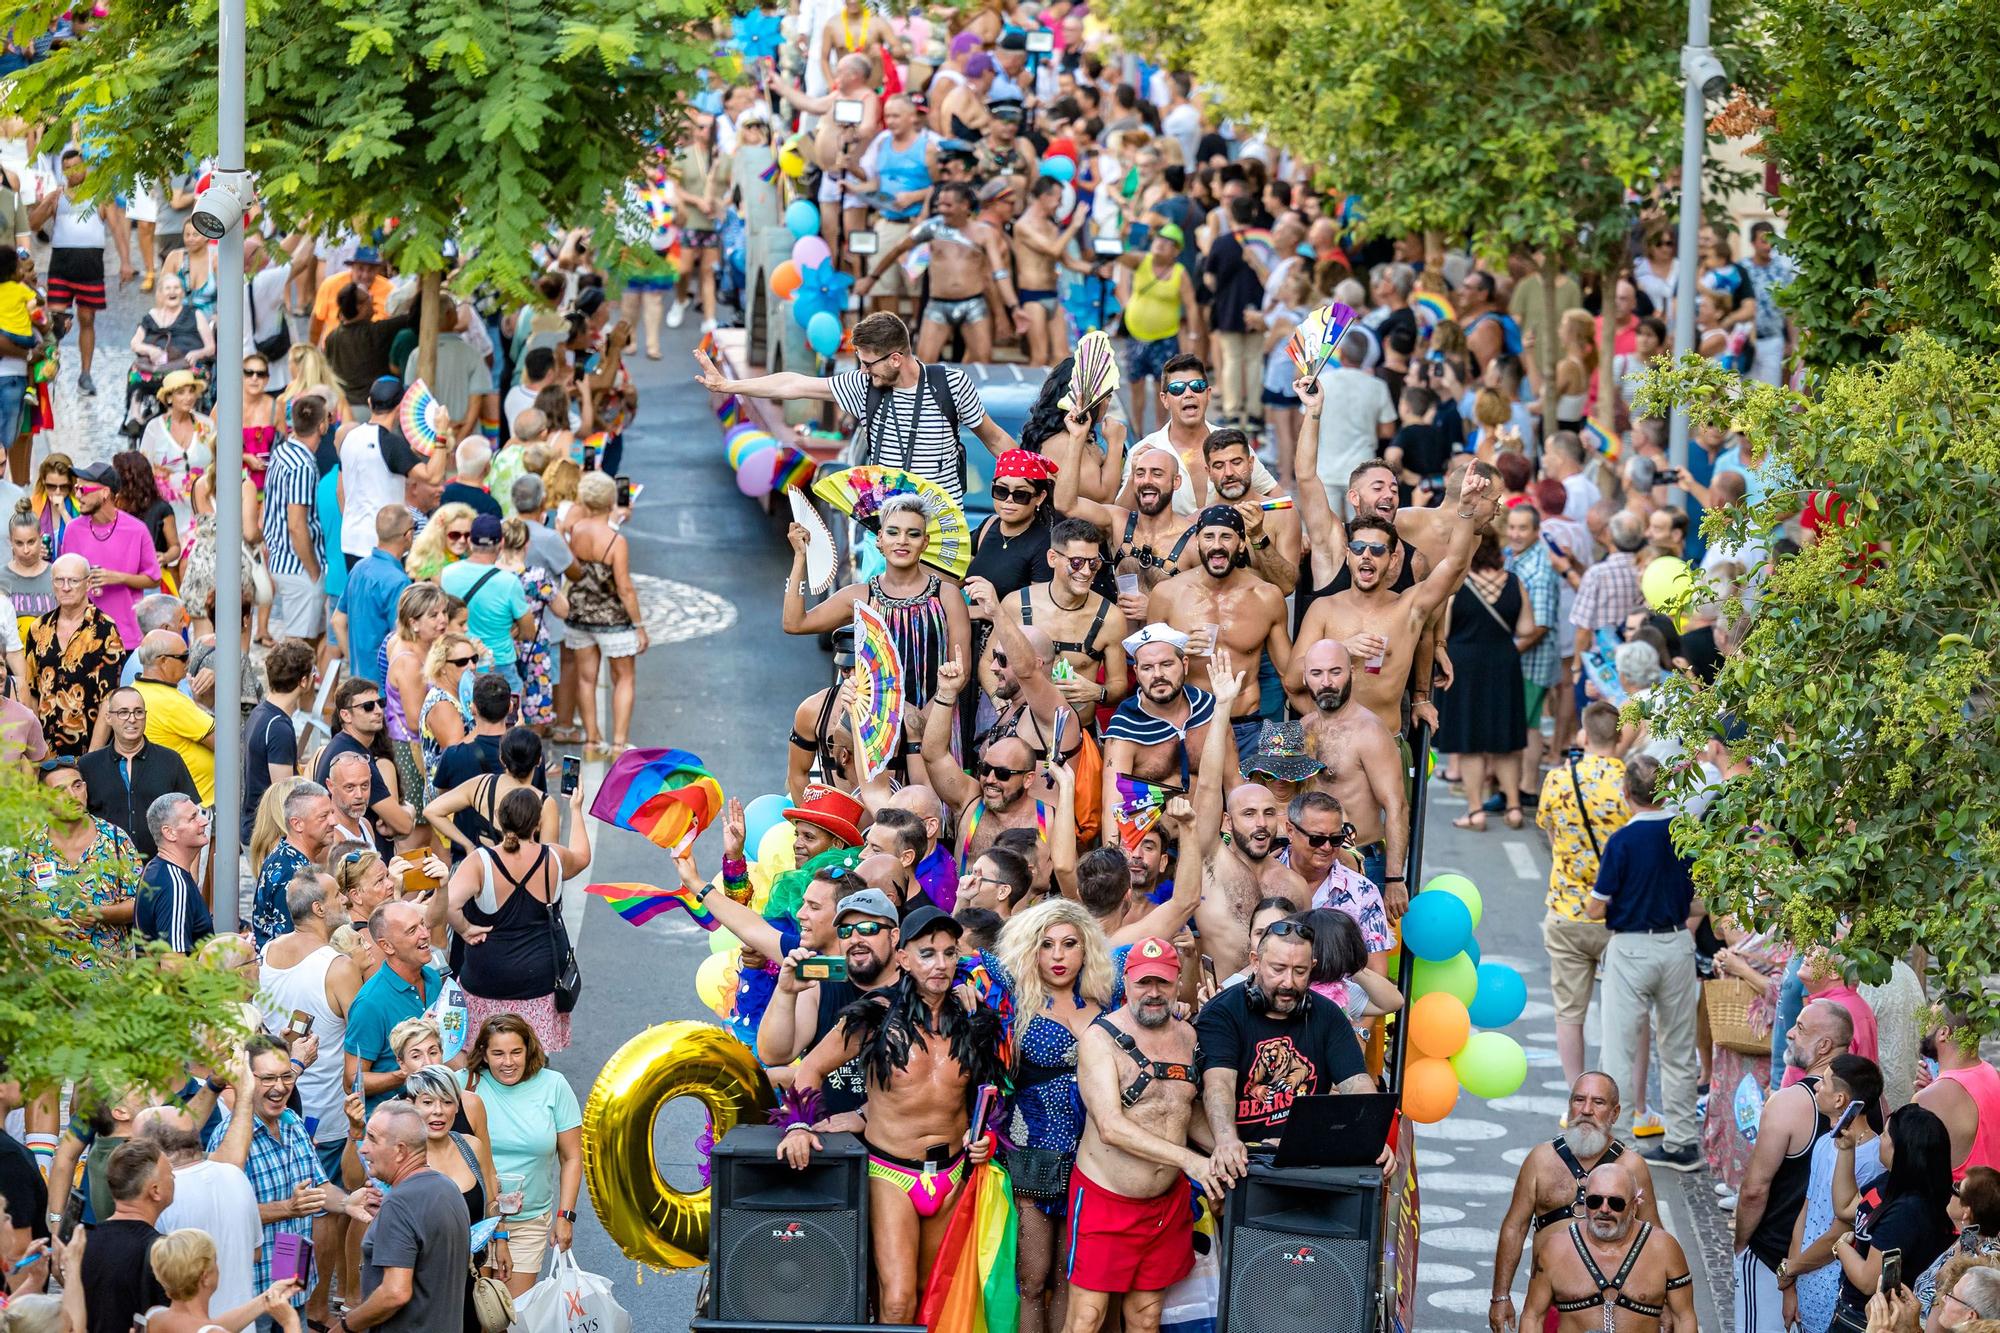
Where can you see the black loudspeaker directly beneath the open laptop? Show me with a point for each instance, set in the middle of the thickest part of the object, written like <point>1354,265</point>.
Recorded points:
<point>1301,1252</point>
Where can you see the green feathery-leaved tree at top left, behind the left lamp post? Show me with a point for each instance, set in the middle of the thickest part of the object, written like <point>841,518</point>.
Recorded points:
<point>471,121</point>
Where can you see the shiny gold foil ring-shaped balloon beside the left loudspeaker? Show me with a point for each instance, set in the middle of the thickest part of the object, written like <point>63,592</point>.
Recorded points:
<point>645,1216</point>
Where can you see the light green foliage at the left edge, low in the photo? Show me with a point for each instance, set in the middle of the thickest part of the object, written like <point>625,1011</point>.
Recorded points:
<point>125,1022</point>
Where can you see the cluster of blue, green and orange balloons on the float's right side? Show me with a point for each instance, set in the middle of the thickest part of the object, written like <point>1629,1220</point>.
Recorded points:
<point>1453,994</point>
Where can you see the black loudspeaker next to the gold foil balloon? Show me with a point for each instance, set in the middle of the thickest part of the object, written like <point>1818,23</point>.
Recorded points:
<point>787,1248</point>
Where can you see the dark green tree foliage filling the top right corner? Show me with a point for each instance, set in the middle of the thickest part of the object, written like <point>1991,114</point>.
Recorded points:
<point>1889,141</point>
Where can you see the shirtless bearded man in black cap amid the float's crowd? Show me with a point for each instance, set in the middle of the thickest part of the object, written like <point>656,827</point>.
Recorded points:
<point>1225,591</point>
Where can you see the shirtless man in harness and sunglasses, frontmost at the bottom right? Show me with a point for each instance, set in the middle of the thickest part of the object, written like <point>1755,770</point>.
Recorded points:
<point>1577,1266</point>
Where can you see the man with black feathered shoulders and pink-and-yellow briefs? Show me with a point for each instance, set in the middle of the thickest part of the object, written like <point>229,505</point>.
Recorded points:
<point>923,1056</point>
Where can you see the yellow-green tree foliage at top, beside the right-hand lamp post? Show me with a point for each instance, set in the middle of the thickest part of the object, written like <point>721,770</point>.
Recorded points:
<point>1507,121</point>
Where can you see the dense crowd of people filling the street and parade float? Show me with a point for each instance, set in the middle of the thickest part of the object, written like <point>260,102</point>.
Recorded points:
<point>1141,852</point>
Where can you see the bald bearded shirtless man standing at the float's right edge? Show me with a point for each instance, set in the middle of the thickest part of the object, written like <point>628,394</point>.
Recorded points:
<point>1361,770</point>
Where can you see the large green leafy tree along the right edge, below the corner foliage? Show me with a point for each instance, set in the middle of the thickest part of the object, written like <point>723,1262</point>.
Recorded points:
<point>1867,680</point>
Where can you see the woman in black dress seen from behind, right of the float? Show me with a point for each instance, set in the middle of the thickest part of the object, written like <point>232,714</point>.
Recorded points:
<point>1485,716</point>
